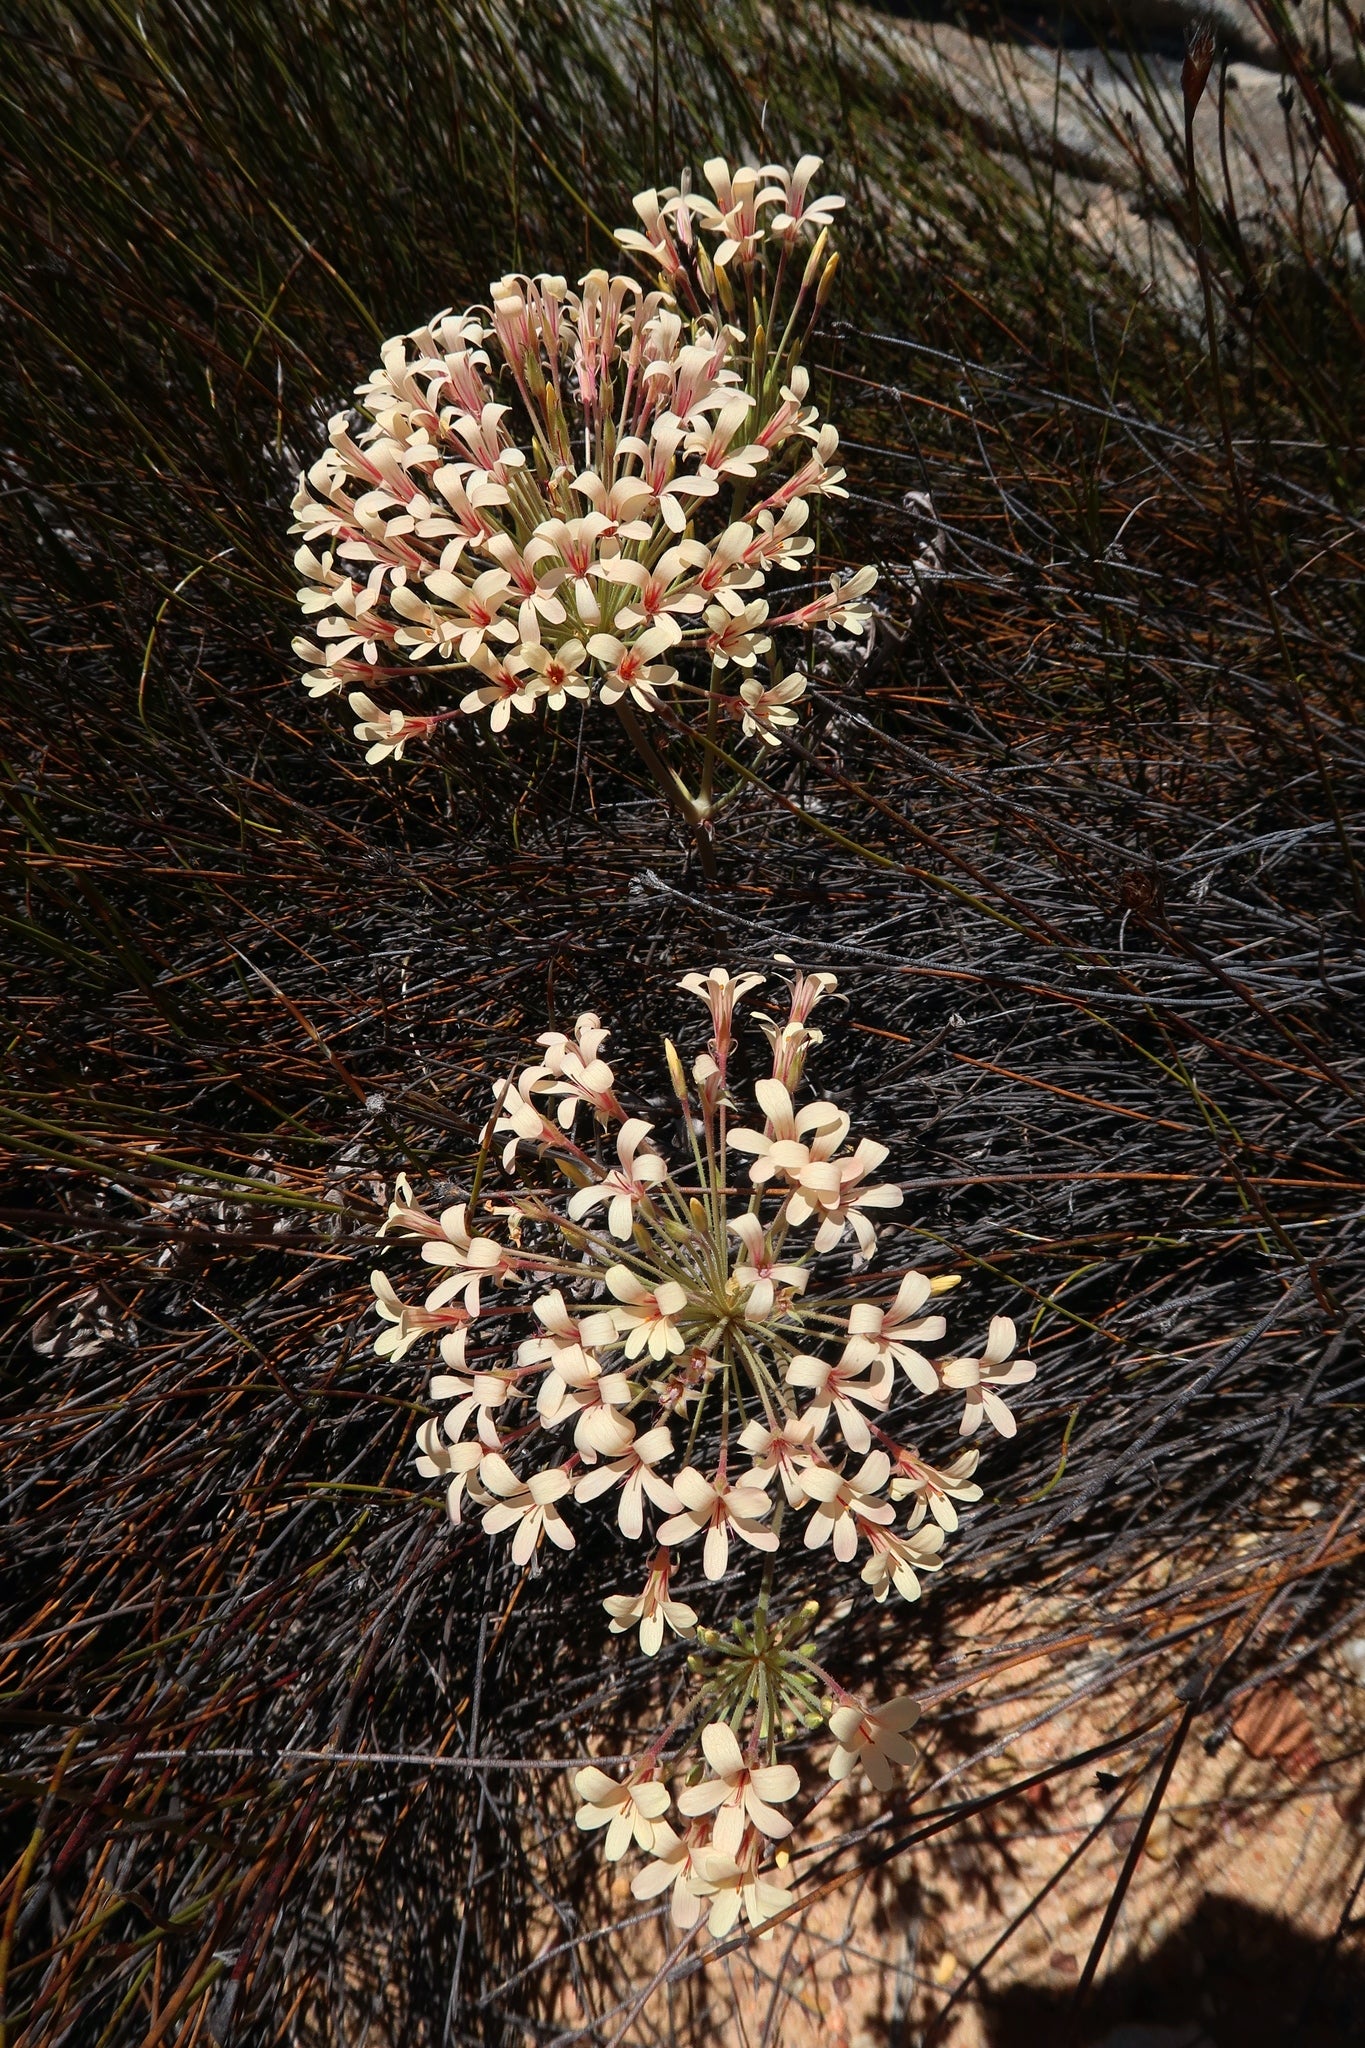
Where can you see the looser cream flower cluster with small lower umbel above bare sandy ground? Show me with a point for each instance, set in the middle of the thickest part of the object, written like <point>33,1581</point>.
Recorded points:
<point>707,1347</point>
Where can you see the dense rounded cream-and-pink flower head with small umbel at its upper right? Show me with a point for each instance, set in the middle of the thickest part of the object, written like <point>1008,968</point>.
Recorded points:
<point>586,493</point>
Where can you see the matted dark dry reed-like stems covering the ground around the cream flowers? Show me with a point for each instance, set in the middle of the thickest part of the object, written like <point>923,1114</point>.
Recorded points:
<point>1080,835</point>
